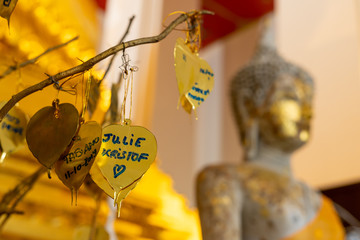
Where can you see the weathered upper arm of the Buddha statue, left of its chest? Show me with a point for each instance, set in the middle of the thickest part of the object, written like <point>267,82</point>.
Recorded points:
<point>219,200</point>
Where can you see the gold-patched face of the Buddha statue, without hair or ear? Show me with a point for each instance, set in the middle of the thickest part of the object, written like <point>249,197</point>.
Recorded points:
<point>284,118</point>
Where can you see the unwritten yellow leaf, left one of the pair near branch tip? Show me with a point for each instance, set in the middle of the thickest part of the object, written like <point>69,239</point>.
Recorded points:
<point>187,65</point>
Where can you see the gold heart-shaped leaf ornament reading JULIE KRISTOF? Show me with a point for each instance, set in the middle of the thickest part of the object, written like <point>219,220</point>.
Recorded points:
<point>126,154</point>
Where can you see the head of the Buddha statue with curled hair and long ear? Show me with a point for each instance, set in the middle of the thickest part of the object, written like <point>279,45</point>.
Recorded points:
<point>271,101</point>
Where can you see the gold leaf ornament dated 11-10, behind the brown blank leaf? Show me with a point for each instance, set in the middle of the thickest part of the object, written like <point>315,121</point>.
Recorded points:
<point>73,168</point>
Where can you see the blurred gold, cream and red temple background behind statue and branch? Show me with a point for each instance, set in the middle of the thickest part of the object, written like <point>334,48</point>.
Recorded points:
<point>321,36</point>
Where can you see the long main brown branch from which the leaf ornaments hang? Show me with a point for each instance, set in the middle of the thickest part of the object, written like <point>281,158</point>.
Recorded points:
<point>91,62</point>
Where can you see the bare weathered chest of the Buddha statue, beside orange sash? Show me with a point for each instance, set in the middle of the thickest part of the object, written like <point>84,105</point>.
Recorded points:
<point>274,206</point>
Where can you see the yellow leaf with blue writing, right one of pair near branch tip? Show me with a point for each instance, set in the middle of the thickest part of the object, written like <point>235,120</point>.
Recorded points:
<point>202,86</point>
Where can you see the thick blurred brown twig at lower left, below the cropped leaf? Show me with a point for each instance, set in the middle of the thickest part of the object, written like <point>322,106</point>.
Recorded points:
<point>11,199</point>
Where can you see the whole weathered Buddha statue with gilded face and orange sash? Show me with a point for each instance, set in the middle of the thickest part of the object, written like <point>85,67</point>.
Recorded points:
<point>260,199</point>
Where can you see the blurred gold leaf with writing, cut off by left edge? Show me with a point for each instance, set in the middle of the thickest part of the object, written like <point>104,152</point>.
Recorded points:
<point>12,129</point>
